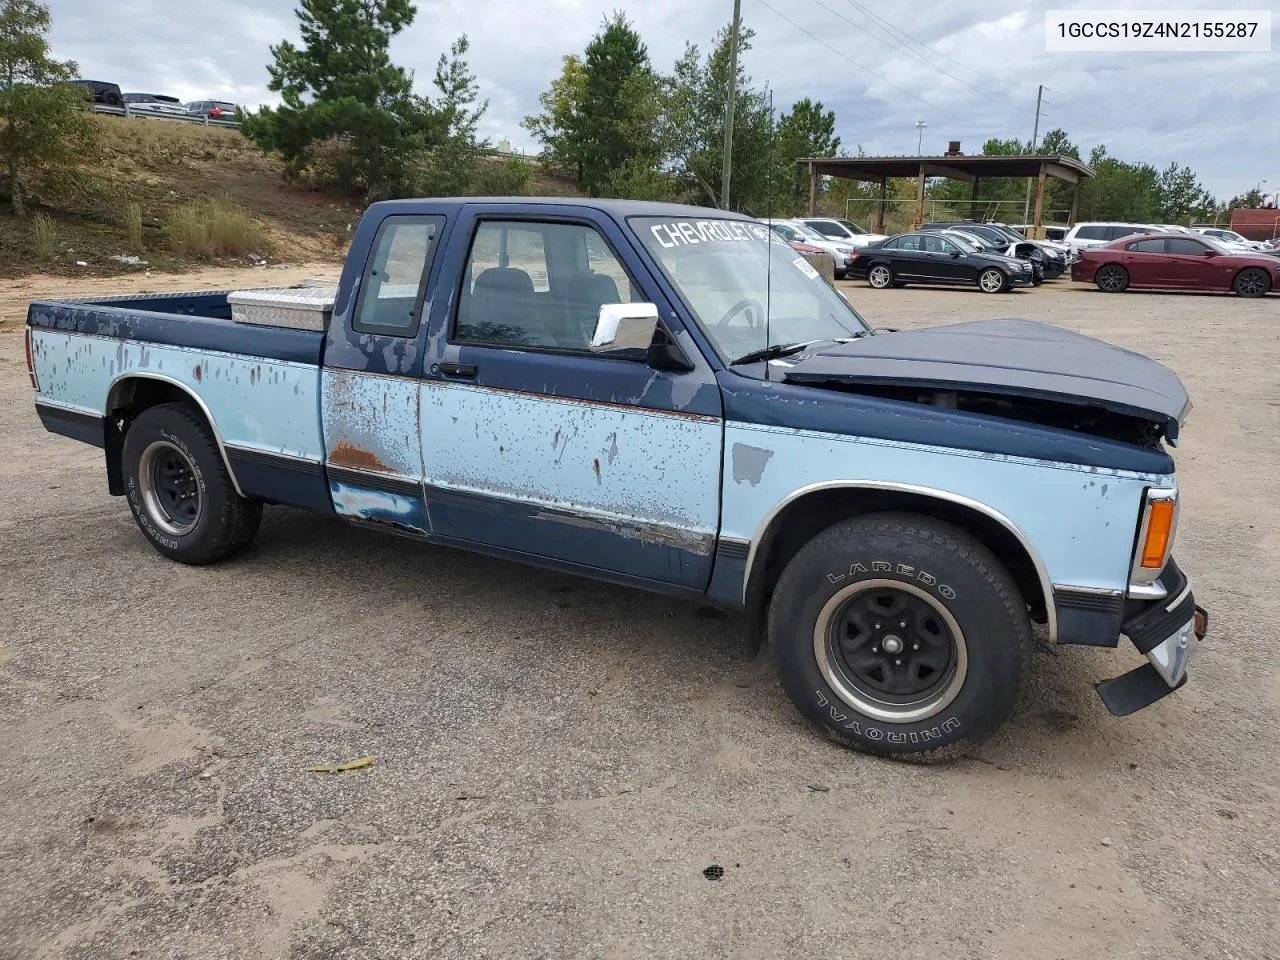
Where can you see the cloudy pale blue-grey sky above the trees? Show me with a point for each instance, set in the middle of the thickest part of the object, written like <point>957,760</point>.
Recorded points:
<point>970,68</point>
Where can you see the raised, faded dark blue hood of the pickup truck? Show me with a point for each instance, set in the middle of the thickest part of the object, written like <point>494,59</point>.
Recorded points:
<point>1004,358</point>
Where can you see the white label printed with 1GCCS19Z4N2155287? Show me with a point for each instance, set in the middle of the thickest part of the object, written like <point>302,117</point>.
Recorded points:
<point>1151,30</point>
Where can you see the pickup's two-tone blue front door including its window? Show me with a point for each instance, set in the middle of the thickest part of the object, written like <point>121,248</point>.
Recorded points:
<point>533,445</point>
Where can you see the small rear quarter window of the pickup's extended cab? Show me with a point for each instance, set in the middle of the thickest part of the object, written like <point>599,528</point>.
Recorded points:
<point>388,292</point>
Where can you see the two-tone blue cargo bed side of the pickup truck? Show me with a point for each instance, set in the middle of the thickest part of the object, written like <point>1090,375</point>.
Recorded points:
<point>259,386</point>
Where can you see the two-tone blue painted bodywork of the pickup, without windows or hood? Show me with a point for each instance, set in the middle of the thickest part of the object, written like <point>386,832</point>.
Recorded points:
<point>607,468</point>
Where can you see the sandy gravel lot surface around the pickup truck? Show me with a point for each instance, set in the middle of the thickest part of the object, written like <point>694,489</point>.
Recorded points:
<point>560,762</point>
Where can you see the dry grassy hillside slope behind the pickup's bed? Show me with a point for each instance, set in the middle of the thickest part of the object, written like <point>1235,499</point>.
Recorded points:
<point>180,177</point>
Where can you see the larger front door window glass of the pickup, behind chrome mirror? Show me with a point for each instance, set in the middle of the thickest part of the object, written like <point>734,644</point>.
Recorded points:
<point>538,285</point>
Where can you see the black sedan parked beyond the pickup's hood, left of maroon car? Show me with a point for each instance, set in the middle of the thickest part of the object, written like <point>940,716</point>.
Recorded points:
<point>929,258</point>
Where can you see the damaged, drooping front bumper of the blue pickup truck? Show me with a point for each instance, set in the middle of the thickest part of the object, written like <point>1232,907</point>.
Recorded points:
<point>1168,633</point>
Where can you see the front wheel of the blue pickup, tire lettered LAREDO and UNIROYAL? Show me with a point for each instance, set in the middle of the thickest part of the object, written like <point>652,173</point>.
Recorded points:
<point>900,636</point>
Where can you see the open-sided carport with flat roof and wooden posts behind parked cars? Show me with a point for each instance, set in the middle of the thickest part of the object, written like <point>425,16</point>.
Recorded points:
<point>957,167</point>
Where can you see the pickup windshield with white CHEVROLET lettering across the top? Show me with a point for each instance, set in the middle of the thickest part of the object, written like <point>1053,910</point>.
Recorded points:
<point>723,273</point>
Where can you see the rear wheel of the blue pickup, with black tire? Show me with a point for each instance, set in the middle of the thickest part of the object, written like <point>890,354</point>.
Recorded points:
<point>180,491</point>
